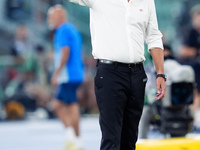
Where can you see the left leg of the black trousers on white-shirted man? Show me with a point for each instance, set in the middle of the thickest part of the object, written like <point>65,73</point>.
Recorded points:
<point>110,90</point>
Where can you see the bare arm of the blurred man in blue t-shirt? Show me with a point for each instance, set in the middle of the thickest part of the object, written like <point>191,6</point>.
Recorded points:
<point>64,58</point>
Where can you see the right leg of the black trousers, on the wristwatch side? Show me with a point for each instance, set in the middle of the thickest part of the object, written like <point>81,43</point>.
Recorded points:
<point>133,109</point>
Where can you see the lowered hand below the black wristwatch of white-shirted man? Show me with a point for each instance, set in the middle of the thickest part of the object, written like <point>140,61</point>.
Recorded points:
<point>160,84</point>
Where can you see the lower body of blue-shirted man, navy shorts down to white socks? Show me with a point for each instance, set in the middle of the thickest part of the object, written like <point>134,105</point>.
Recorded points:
<point>68,112</point>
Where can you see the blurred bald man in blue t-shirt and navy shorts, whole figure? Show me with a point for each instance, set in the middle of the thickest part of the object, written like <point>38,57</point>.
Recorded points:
<point>69,71</point>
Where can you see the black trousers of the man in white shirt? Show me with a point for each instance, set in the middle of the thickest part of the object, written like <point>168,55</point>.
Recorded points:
<point>120,93</point>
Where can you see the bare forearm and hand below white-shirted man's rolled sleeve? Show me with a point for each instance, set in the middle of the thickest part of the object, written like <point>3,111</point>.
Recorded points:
<point>158,58</point>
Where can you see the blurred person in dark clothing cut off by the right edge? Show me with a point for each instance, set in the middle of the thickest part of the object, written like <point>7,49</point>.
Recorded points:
<point>190,51</point>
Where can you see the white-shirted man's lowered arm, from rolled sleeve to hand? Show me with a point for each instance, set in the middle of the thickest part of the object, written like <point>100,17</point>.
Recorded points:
<point>155,46</point>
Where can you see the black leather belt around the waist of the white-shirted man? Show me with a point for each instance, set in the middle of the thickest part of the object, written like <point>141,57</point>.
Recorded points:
<point>129,65</point>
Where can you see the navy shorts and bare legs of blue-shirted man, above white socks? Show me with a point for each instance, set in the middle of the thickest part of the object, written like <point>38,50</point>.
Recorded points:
<point>66,107</point>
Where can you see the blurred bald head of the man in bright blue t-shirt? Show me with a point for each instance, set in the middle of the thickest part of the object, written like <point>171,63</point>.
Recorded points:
<point>56,16</point>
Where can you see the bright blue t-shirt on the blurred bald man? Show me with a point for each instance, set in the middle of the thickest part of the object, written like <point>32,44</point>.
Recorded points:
<point>67,35</point>
